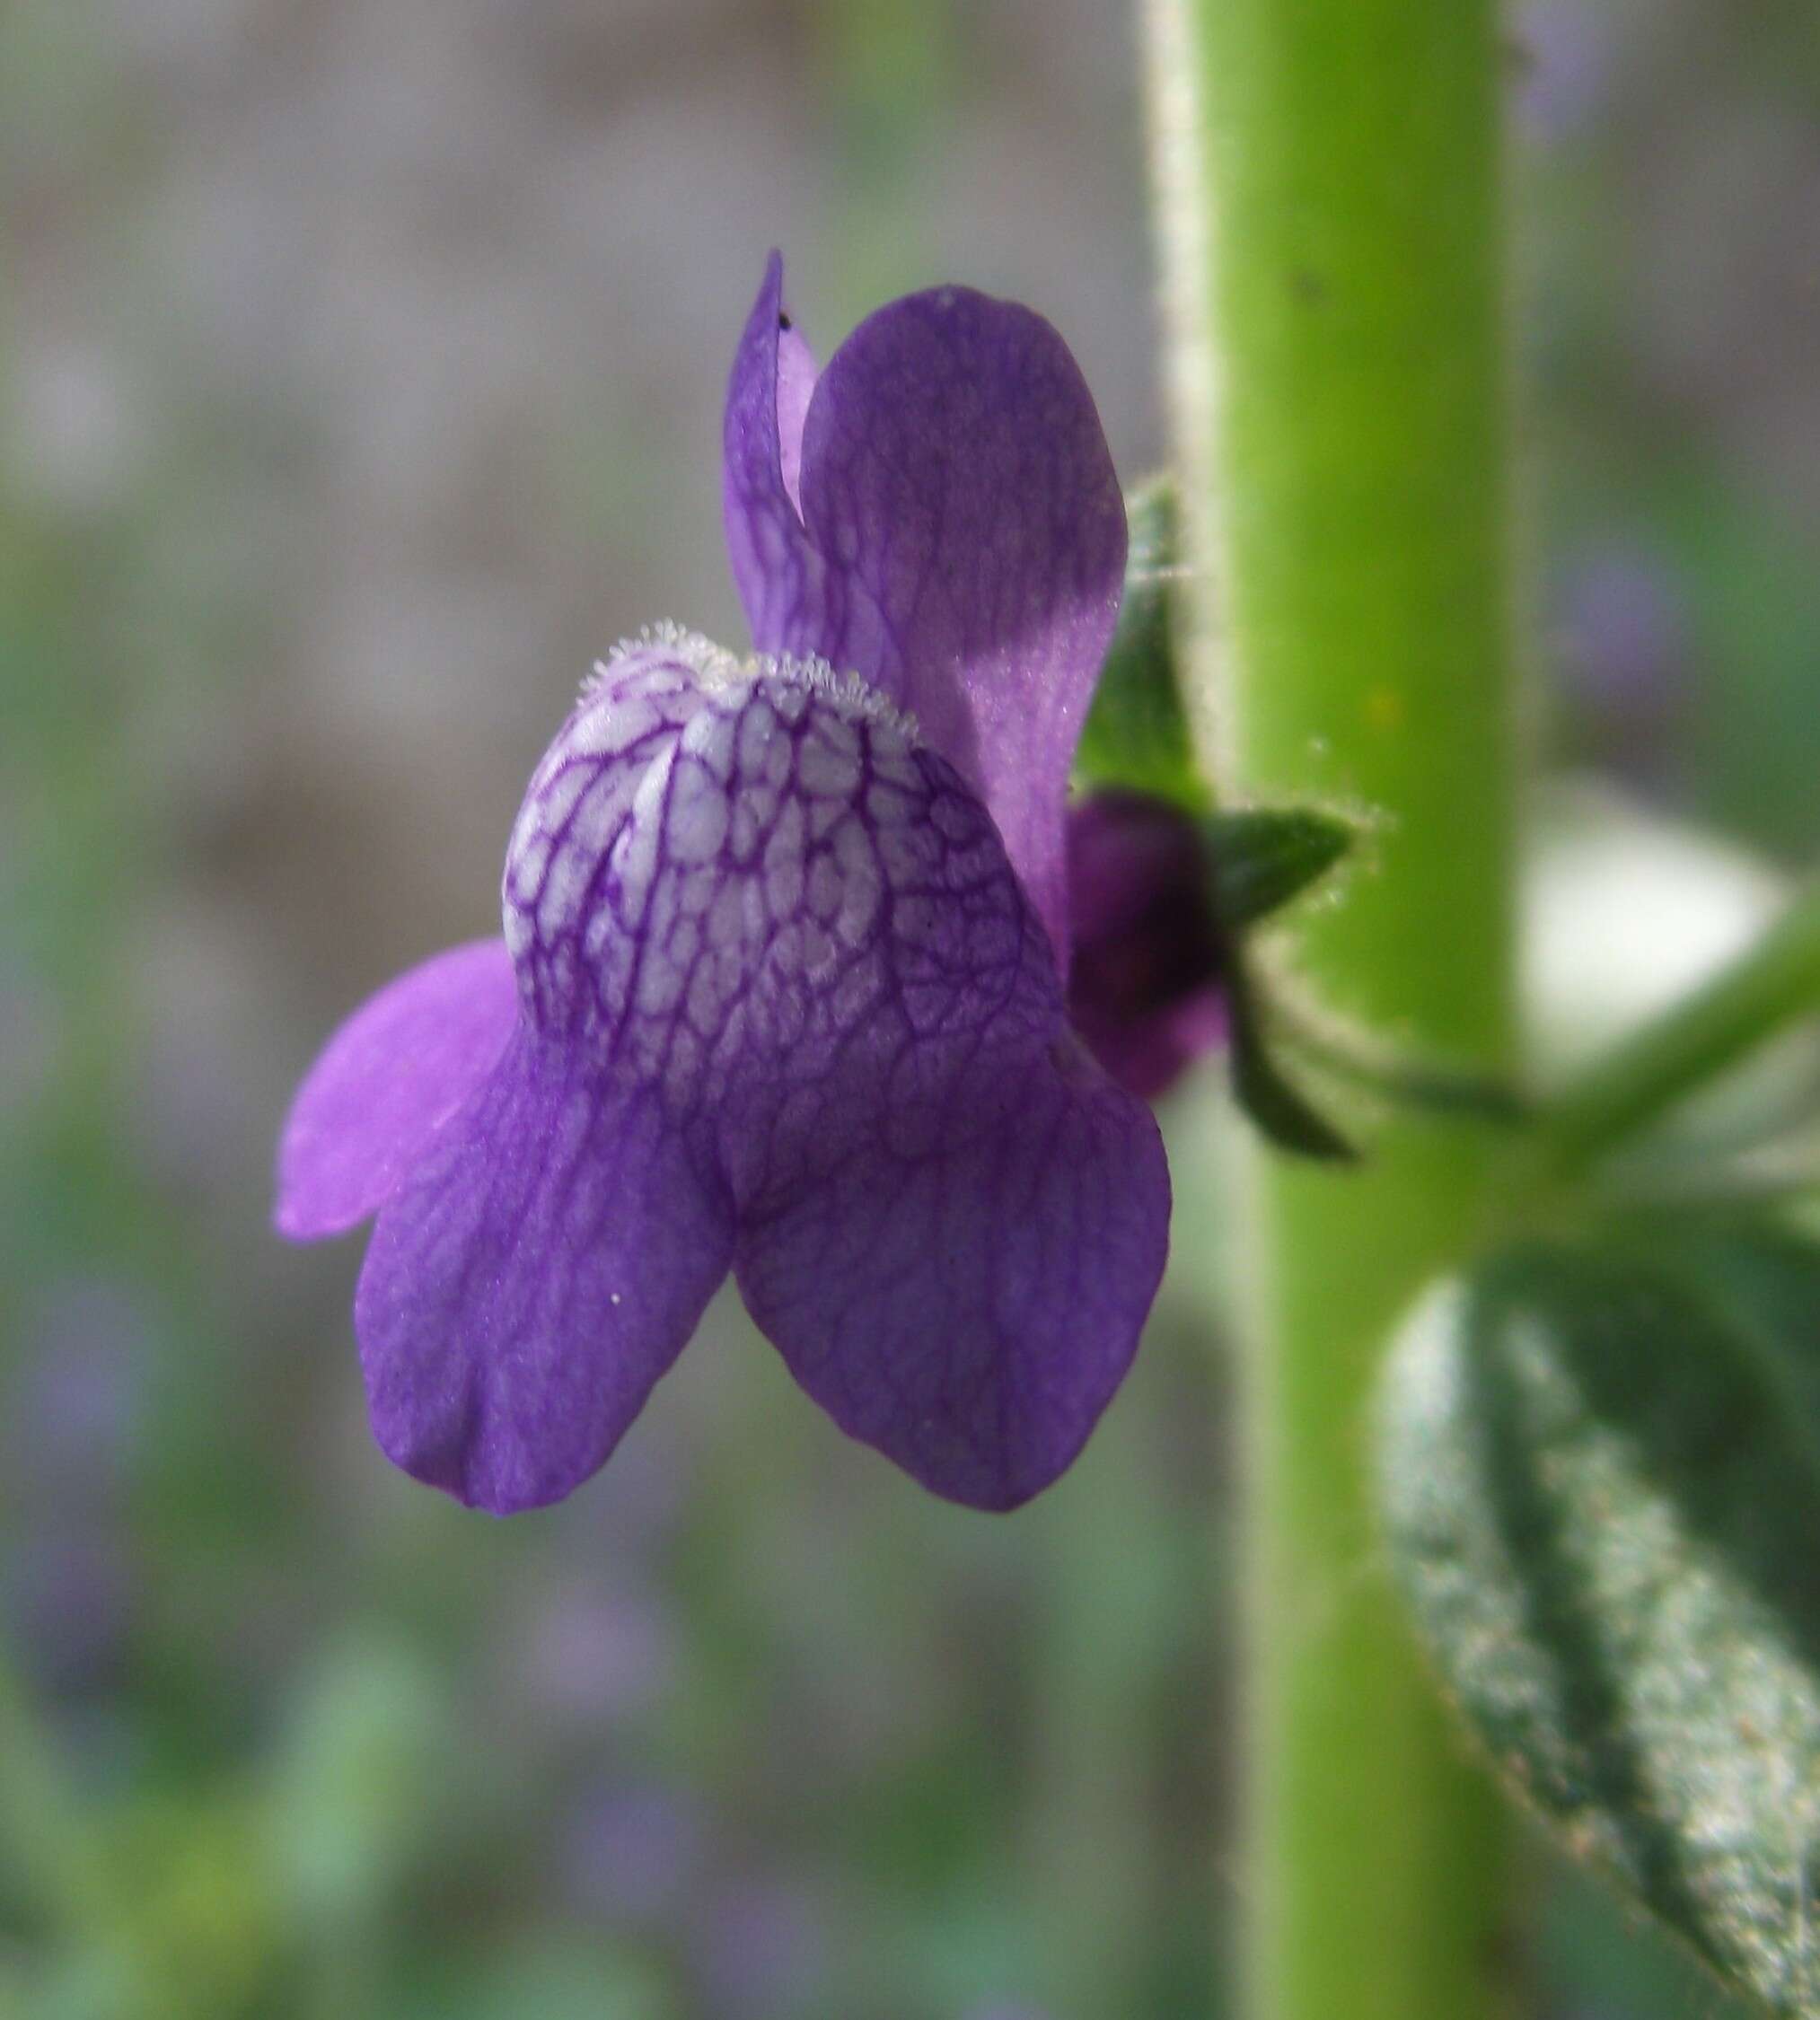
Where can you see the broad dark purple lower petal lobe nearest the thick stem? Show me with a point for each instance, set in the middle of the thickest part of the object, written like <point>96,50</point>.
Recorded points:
<point>956,1259</point>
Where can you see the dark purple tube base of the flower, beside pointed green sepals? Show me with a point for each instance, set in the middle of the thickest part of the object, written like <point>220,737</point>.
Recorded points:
<point>1144,989</point>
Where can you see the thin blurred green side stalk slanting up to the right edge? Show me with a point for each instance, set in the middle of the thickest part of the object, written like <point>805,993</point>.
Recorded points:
<point>1639,1080</point>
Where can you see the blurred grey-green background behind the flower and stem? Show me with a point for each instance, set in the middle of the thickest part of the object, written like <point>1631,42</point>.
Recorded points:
<point>361,371</point>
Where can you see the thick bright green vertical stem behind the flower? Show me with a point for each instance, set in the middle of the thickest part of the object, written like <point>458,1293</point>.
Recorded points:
<point>1354,524</point>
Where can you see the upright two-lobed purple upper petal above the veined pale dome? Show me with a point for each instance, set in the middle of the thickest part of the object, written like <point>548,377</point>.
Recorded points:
<point>960,542</point>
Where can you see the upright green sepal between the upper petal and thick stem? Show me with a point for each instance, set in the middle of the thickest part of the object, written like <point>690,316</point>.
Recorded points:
<point>1136,732</point>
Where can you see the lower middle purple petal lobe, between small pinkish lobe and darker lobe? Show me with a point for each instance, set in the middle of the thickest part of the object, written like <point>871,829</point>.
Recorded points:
<point>534,1280</point>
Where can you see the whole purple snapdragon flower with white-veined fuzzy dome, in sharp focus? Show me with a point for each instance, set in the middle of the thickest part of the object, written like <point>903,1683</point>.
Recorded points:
<point>783,973</point>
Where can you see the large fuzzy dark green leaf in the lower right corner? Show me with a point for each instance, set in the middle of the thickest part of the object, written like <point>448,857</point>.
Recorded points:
<point>1601,1474</point>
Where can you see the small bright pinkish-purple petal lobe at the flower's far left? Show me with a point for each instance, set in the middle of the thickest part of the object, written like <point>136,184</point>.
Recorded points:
<point>387,1082</point>
